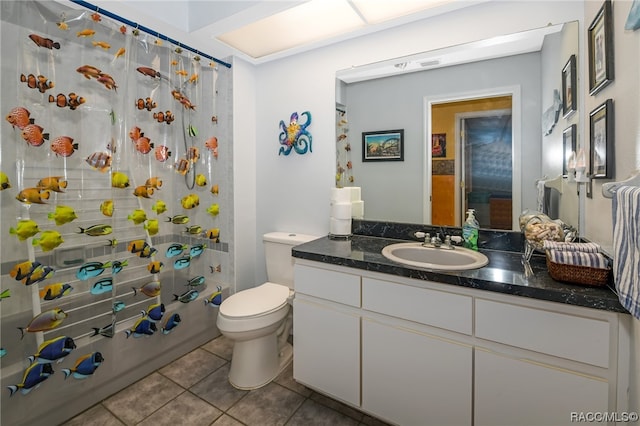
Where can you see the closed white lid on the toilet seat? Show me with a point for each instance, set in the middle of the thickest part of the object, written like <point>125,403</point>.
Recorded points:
<point>255,301</point>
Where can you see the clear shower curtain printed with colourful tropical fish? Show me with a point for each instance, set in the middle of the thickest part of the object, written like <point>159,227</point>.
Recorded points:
<point>115,212</point>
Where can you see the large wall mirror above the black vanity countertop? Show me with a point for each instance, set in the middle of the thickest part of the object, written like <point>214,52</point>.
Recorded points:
<point>496,92</point>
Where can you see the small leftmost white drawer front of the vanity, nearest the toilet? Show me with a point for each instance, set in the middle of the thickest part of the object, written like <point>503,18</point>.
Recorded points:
<point>326,284</point>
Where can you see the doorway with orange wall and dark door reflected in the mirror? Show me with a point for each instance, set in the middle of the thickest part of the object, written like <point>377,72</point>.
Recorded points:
<point>480,176</point>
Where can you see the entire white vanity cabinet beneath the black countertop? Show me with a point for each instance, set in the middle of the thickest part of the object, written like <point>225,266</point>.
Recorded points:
<point>415,352</point>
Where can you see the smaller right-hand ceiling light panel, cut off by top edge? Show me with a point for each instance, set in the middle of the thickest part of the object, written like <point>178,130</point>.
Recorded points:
<point>376,11</point>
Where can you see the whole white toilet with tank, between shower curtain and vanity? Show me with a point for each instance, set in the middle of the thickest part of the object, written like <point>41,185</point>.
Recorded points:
<point>259,319</point>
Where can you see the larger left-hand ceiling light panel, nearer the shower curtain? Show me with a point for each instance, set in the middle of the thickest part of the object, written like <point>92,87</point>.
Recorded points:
<point>309,22</point>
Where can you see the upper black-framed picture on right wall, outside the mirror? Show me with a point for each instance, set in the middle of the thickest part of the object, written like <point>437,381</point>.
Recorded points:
<point>600,40</point>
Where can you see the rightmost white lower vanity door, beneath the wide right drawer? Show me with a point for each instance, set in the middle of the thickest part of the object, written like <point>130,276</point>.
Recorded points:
<point>512,391</point>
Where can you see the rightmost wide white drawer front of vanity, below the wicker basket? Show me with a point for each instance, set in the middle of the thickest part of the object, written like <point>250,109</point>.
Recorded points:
<point>566,336</point>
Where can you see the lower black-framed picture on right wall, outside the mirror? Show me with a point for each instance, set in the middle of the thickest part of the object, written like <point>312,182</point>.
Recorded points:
<point>601,150</point>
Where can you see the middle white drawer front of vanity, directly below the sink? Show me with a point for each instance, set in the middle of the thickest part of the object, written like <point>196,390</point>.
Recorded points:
<point>430,307</point>
